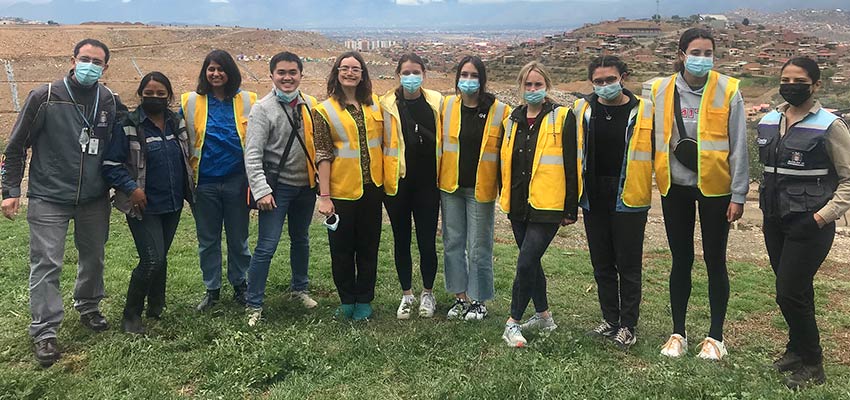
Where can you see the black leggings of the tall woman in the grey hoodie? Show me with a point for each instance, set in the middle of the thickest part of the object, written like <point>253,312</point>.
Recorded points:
<point>679,208</point>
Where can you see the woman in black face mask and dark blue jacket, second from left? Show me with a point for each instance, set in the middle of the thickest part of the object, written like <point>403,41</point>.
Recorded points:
<point>147,162</point>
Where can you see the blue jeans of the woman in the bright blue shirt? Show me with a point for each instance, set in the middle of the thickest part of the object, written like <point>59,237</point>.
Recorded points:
<point>220,203</point>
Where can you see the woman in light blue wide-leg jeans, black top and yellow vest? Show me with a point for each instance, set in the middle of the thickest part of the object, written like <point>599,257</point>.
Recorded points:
<point>471,130</point>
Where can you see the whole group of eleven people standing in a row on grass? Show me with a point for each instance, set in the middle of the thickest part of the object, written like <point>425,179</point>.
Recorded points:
<point>420,154</point>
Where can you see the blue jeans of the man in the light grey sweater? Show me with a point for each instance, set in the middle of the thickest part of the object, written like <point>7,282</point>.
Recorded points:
<point>295,202</point>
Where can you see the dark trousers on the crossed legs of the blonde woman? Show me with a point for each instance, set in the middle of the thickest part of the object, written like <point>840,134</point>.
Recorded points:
<point>530,283</point>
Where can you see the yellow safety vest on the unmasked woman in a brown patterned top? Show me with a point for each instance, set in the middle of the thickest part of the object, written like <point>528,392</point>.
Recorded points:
<point>346,174</point>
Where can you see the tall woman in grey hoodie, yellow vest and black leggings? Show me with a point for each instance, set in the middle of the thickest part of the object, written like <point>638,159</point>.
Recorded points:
<point>700,163</point>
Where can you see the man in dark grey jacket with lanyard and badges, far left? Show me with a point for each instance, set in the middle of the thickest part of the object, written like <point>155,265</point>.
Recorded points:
<point>68,124</point>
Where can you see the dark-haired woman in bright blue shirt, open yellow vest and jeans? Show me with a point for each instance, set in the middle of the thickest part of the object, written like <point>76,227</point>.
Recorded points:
<point>216,115</point>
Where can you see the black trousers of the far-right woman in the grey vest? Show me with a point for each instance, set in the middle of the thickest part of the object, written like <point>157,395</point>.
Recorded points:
<point>797,248</point>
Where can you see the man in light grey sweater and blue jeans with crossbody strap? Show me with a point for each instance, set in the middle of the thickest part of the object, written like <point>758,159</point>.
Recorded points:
<point>279,156</point>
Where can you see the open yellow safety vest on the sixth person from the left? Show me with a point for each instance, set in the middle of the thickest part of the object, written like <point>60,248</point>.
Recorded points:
<point>394,162</point>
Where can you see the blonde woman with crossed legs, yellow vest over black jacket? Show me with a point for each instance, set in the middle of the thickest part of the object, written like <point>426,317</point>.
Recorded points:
<point>539,191</point>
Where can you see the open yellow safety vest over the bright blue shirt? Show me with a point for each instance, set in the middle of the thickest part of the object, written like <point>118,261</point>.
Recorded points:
<point>195,108</point>
